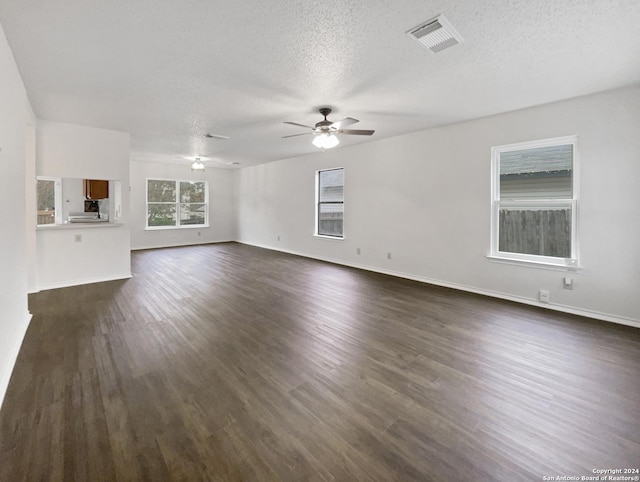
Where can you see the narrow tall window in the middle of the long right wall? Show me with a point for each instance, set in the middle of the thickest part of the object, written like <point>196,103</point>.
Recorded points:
<point>330,209</point>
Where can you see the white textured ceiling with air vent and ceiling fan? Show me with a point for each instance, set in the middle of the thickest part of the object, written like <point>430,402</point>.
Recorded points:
<point>169,72</point>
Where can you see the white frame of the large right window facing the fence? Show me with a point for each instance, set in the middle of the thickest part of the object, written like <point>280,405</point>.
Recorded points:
<point>496,203</point>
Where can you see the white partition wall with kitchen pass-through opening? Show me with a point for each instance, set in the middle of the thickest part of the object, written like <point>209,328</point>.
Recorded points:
<point>103,253</point>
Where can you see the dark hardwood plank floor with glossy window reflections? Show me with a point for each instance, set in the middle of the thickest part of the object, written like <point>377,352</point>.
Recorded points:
<point>228,362</point>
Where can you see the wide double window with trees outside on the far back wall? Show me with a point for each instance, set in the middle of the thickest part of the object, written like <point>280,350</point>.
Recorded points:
<point>177,204</point>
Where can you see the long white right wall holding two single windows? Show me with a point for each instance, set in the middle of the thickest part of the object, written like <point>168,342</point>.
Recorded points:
<point>425,197</point>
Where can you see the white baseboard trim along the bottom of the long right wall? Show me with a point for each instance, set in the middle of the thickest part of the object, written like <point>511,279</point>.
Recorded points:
<point>470,289</point>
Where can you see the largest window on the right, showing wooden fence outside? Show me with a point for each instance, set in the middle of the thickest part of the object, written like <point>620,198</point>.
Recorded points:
<point>534,202</point>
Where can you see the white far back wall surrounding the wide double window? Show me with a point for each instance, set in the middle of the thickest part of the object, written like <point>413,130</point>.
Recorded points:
<point>222,205</point>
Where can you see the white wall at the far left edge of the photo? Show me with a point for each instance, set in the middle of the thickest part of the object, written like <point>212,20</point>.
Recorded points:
<point>14,119</point>
